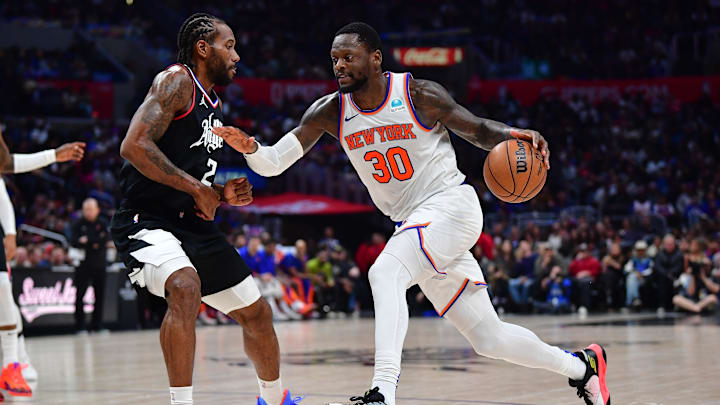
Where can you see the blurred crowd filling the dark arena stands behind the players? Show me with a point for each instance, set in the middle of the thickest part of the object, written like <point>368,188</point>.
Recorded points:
<point>629,218</point>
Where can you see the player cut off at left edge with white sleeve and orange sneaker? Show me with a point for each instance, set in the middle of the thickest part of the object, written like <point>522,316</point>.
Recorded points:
<point>16,368</point>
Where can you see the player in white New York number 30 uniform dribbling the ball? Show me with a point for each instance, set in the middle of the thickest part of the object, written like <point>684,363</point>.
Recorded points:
<point>394,130</point>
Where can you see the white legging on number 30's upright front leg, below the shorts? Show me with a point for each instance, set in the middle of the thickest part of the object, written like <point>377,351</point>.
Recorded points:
<point>389,280</point>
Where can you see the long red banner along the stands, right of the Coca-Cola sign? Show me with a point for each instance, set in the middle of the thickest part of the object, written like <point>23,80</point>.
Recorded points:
<point>682,89</point>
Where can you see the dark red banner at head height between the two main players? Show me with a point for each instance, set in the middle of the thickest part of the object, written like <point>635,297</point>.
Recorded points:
<point>276,92</point>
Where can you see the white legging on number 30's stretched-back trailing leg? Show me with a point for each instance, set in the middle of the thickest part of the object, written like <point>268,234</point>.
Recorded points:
<point>496,339</point>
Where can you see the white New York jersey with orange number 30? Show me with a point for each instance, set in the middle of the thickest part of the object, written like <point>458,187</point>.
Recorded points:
<point>401,162</point>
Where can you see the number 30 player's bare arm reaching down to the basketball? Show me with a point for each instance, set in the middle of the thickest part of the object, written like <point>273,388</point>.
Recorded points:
<point>434,103</point>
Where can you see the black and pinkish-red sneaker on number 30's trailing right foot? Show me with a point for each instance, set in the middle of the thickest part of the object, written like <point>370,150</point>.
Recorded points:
<point>593,388</point>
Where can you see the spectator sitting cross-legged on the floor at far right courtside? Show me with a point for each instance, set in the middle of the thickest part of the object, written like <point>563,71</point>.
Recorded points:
<point>698,290</point>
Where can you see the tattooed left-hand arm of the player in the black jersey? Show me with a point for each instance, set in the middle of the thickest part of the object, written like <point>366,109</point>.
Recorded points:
<point>170,94</point>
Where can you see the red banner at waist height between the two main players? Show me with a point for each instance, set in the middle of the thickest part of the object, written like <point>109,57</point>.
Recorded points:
<point>304,204</point>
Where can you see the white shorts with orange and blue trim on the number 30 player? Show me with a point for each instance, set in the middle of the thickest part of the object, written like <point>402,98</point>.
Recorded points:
<point>434,244</point>
